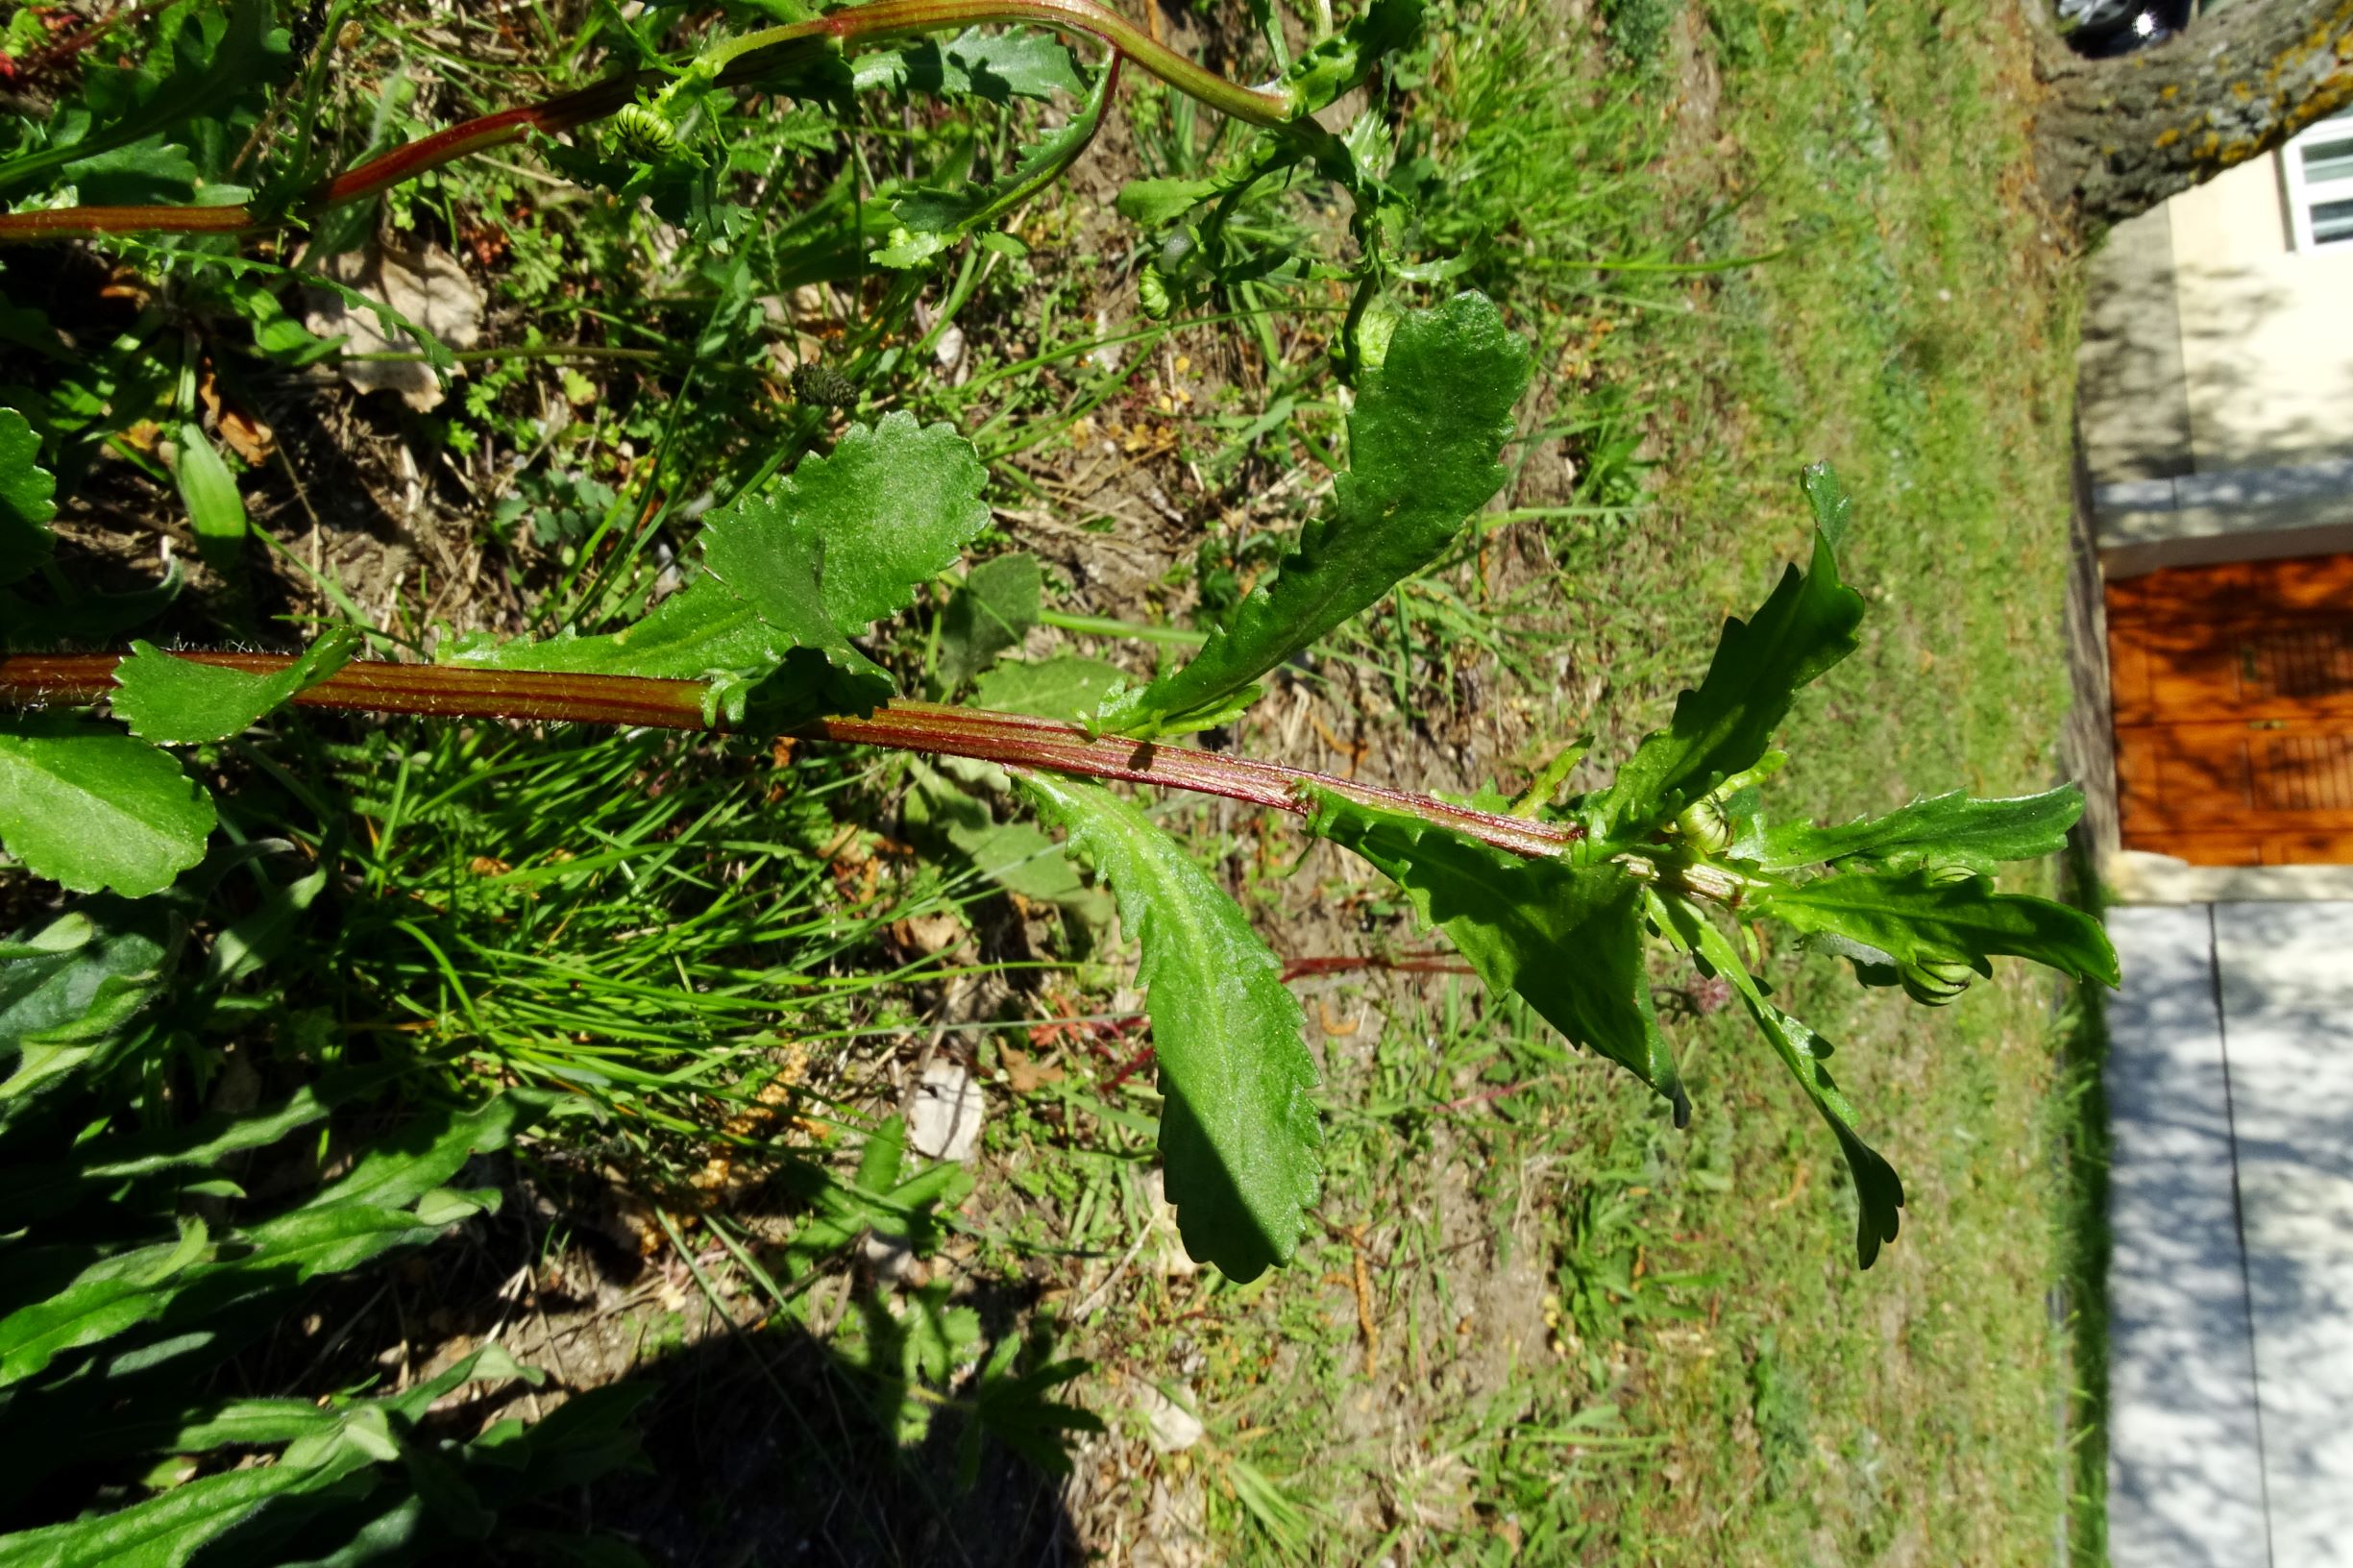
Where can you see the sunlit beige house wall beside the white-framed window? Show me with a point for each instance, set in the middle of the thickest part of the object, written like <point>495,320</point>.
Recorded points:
<point>2267,333</point>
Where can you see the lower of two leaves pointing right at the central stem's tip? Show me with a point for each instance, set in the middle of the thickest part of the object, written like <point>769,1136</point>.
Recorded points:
<point>1926,917</point>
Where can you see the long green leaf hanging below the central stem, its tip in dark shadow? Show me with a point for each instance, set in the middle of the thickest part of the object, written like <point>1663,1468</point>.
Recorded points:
<point>1239,1131</point>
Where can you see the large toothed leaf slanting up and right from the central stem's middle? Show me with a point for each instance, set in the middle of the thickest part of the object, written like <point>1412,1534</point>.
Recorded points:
<point>1422,456</point>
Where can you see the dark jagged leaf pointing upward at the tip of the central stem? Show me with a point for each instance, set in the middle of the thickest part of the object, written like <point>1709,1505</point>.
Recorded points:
<point>1726,726</point>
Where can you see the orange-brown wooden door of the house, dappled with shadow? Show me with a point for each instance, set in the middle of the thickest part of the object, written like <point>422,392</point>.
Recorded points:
<point>2234,712</point>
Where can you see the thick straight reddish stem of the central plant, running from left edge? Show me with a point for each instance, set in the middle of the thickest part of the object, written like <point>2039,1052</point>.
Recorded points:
<point>1015,740</point>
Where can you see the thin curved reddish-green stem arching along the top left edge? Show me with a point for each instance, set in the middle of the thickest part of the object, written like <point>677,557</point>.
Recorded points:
<point>742,60</point>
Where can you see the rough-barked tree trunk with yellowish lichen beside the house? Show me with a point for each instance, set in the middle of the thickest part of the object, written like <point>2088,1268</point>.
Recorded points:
<point>2117,138</point>
